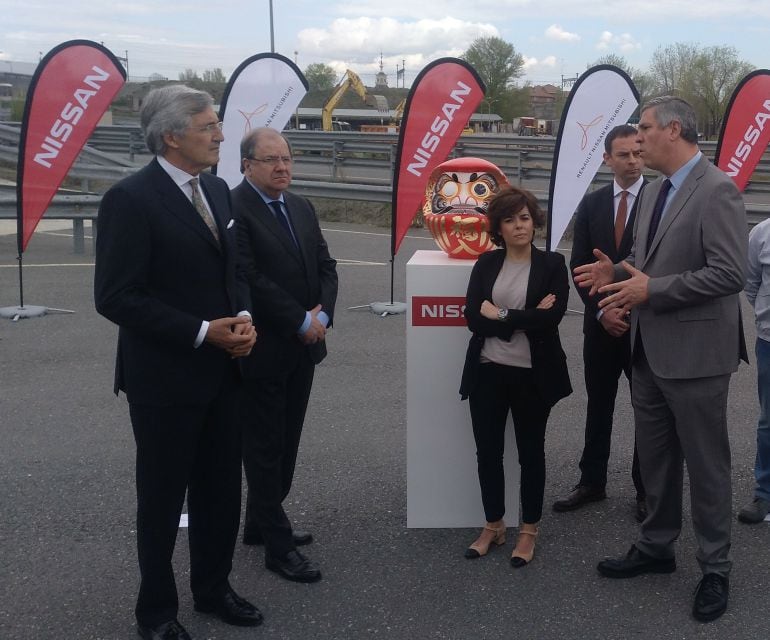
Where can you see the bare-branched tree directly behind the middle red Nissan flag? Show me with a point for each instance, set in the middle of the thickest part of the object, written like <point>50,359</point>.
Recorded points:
<point>497,63</point>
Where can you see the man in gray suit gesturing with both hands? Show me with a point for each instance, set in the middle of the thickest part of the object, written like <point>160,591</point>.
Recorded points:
<point>681,284</point>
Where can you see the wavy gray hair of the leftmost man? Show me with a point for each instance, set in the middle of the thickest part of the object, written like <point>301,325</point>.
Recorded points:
<point>170,109</point>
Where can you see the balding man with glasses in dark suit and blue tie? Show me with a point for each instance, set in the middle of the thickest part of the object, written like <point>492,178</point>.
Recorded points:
<point>293,285</point>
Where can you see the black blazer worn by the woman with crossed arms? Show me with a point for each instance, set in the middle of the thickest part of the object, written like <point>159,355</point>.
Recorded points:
<point>548,274</point>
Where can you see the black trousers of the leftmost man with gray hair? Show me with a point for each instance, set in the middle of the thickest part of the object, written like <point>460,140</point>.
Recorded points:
<point>193,450</point>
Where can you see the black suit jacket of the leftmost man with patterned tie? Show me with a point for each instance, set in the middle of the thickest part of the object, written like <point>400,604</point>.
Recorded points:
<point>159,274</point>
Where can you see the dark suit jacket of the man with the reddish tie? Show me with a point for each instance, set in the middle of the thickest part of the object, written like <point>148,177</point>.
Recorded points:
<point>595,229</point>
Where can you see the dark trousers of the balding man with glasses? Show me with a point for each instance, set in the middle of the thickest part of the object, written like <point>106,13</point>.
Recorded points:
<point>273,418</point>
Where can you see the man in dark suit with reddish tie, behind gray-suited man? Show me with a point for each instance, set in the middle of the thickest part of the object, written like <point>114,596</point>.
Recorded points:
<point>605,220</point>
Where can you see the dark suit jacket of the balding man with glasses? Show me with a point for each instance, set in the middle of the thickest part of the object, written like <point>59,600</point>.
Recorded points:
<point>284,281</point>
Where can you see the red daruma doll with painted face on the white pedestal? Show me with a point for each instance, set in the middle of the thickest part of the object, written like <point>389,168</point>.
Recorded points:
<point>455,205</point>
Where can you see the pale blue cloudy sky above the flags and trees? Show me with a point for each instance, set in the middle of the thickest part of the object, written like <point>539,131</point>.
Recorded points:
<point>556,37</point>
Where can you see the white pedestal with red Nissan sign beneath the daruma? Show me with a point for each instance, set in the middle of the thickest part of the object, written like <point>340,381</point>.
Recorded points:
<point>441,477</point>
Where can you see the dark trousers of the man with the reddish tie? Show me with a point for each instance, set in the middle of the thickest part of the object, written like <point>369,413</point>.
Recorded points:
<point>605,358</point>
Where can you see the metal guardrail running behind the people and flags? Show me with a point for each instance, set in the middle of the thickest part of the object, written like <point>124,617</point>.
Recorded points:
<point>328,165</point>
